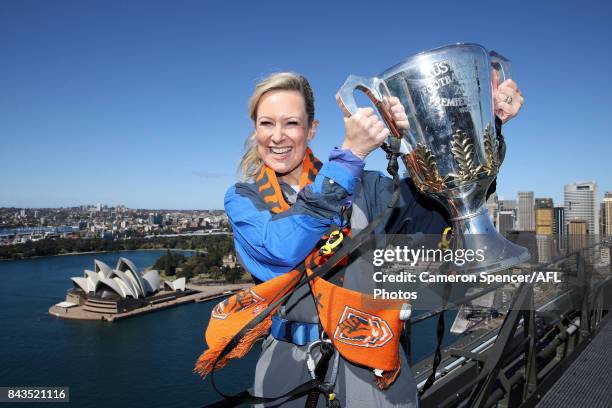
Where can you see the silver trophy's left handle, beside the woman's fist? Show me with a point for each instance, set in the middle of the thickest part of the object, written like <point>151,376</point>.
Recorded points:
<point>370,87</point>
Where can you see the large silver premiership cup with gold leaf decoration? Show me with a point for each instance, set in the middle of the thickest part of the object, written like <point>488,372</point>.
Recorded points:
<point>451,150</point>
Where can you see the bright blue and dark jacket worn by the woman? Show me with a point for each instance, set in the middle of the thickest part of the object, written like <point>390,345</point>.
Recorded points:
<point>271,244</point>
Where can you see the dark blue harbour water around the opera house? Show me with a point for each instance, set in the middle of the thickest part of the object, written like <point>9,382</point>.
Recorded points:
<point>145,361</point>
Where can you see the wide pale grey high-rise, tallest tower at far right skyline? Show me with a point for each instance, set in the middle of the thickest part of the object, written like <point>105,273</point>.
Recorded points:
<point>582,203</point>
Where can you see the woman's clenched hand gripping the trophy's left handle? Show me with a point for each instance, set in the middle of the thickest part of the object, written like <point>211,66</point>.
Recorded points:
<point>364,132</point>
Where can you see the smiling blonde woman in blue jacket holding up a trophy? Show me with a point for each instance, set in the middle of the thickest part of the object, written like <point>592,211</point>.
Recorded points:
<point>294,199</point>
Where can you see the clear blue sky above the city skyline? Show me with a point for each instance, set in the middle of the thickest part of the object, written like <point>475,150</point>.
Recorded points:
<point>143,103</point>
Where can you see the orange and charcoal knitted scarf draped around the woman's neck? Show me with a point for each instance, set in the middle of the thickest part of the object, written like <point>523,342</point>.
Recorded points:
<point>364,330</point>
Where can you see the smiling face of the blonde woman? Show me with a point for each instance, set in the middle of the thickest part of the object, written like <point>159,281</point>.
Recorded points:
<point>282,133</point>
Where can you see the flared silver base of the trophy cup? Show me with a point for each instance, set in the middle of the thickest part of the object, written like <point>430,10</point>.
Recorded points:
<point>478,233</point>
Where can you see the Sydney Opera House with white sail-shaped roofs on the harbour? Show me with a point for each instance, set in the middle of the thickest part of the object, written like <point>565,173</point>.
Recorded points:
<point>107,290</point>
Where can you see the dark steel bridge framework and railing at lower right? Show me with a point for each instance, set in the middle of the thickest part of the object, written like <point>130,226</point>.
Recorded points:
<point>544,327</point>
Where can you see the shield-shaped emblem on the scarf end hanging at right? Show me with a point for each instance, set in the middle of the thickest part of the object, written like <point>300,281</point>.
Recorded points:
<point>358,328</point>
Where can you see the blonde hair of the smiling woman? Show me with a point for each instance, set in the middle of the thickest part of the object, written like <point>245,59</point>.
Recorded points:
<point>285,81</point>
